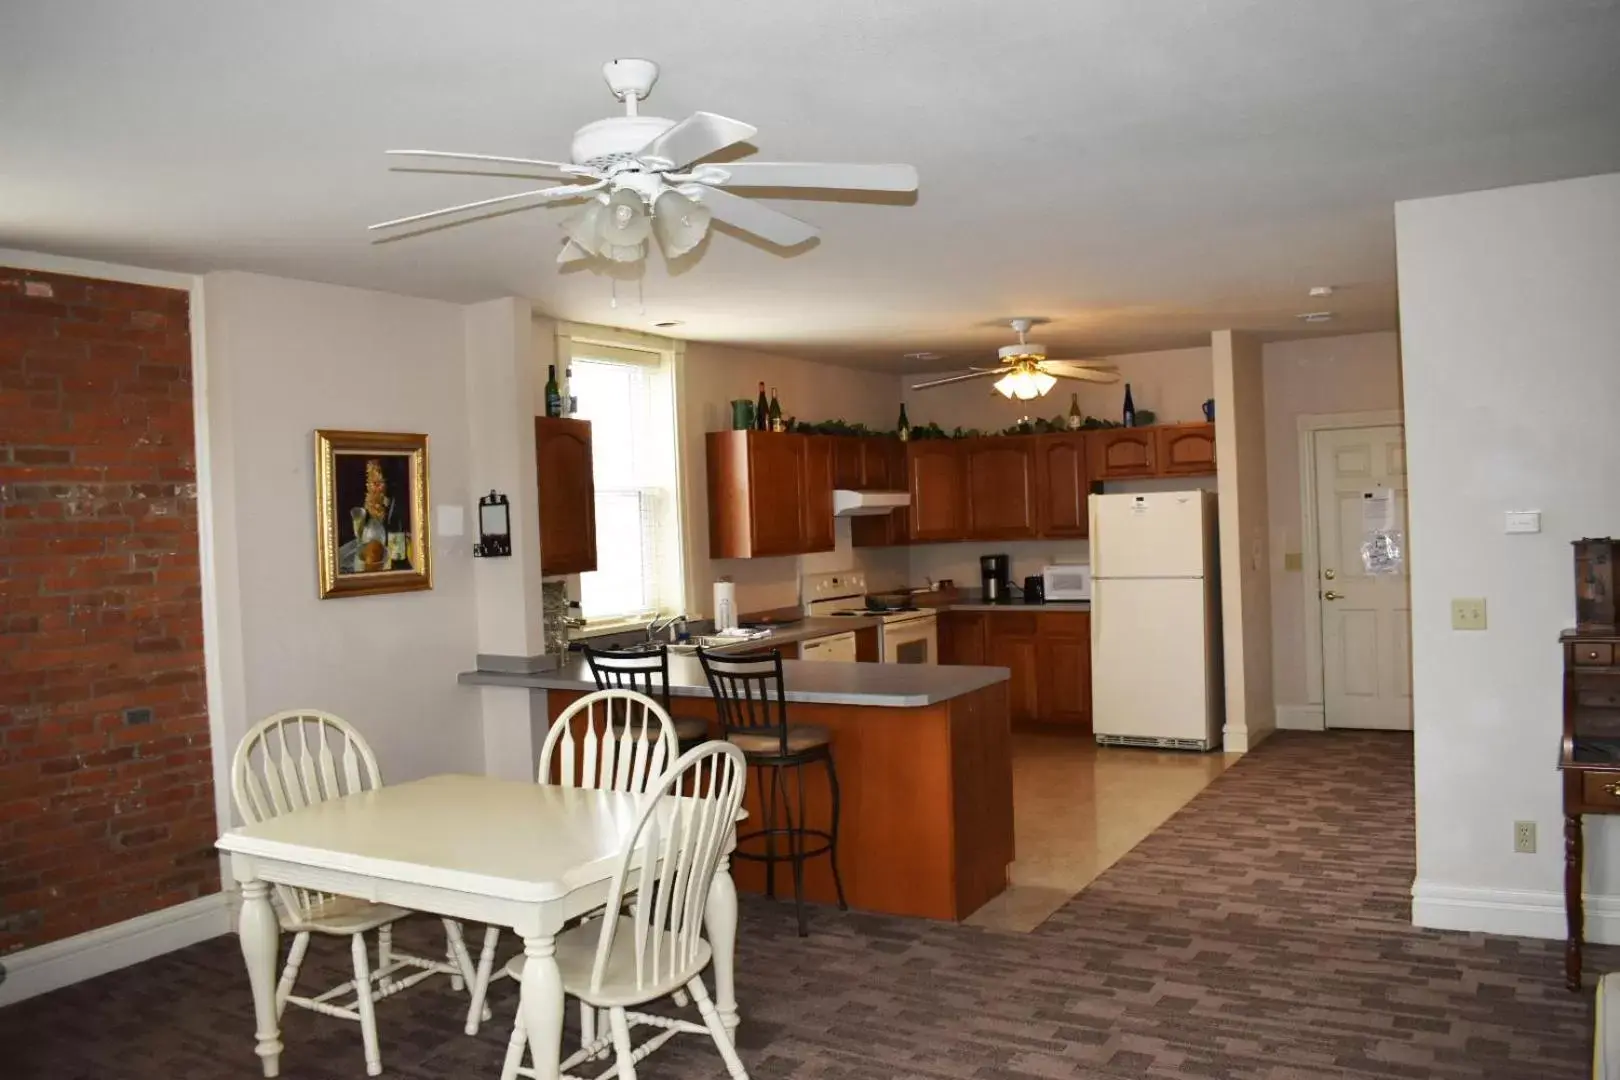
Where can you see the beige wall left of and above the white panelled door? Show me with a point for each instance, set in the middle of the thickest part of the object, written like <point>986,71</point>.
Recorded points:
<point>1357,373</point>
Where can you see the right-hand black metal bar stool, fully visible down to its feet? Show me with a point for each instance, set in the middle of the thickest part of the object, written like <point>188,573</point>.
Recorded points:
<point>752,705</point>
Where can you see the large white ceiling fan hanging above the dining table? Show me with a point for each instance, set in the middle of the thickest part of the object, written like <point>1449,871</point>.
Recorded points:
<point>646,177</point>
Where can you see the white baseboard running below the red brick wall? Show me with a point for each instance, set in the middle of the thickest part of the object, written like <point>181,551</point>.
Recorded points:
<point>85,956</point>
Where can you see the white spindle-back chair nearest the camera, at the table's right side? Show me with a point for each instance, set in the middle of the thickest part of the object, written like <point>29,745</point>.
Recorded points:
<point>657,950</point>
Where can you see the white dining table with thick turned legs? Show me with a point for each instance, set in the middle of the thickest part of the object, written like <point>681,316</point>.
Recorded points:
<point>509,854</point>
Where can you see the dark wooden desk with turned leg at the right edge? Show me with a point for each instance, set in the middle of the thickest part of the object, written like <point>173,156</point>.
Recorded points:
<point>1590,762</point>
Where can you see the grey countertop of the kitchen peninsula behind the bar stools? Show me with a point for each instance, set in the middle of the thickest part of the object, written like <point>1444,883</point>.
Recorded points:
<point>882,686</point>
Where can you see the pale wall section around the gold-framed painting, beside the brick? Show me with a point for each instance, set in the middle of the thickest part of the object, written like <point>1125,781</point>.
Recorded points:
<point>283,360</point>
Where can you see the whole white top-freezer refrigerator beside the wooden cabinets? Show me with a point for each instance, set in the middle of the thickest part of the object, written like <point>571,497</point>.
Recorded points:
<point>1156,621</point>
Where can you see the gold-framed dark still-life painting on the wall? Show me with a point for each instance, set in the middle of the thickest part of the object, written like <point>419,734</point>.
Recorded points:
<point>372,512</point>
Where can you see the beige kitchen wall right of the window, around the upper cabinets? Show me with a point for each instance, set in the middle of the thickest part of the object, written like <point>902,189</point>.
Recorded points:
<point>811,393</point>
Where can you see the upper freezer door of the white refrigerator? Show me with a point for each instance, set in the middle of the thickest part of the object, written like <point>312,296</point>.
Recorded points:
<point>1157,535</point>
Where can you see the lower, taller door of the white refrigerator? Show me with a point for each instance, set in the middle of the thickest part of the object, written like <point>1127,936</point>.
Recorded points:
<point>1151,660</point>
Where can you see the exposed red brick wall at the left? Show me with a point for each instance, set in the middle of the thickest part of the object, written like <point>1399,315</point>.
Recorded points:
<point>104,814</point>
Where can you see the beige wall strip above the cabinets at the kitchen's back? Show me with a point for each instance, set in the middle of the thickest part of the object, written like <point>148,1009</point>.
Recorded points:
<point>1174,385</point>
